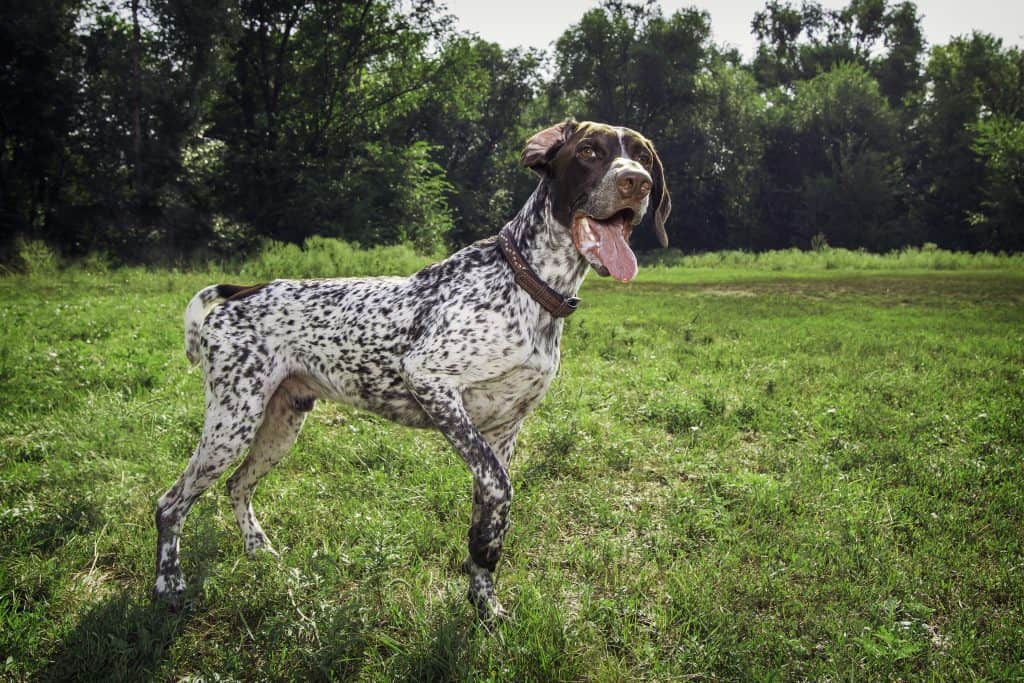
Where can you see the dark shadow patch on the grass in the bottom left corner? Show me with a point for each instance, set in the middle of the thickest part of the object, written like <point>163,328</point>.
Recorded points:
<point>124,638</point>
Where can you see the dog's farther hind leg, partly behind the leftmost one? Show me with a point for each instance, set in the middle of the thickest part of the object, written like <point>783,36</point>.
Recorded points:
<point>282,424</point>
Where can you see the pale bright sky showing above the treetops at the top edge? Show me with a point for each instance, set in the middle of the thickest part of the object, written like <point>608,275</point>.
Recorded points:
<point>540,23</point>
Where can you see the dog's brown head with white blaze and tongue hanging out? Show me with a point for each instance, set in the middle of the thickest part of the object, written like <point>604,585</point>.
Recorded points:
<point>604,180</point>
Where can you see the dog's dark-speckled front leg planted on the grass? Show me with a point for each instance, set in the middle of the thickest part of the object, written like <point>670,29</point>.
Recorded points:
<point>442,400</point>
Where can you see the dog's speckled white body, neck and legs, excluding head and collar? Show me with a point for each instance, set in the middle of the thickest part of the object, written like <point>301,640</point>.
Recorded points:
<point>458,347</point>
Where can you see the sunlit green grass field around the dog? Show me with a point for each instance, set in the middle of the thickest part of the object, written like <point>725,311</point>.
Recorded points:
<point>740,474</point>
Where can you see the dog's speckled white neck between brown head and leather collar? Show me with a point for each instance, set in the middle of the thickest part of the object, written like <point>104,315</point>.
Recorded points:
<point>547,245</point>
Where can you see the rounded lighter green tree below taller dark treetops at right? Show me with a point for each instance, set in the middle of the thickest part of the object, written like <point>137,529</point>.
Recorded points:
<point>832,164</point>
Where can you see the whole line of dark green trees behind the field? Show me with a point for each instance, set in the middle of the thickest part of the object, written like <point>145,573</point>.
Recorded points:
<point>155,129</point>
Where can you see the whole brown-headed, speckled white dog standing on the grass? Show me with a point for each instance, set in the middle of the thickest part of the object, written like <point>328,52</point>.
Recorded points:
<point>468,346</point>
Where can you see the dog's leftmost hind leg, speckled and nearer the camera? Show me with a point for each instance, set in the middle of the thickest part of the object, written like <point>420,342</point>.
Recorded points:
<point>230,428</point>
